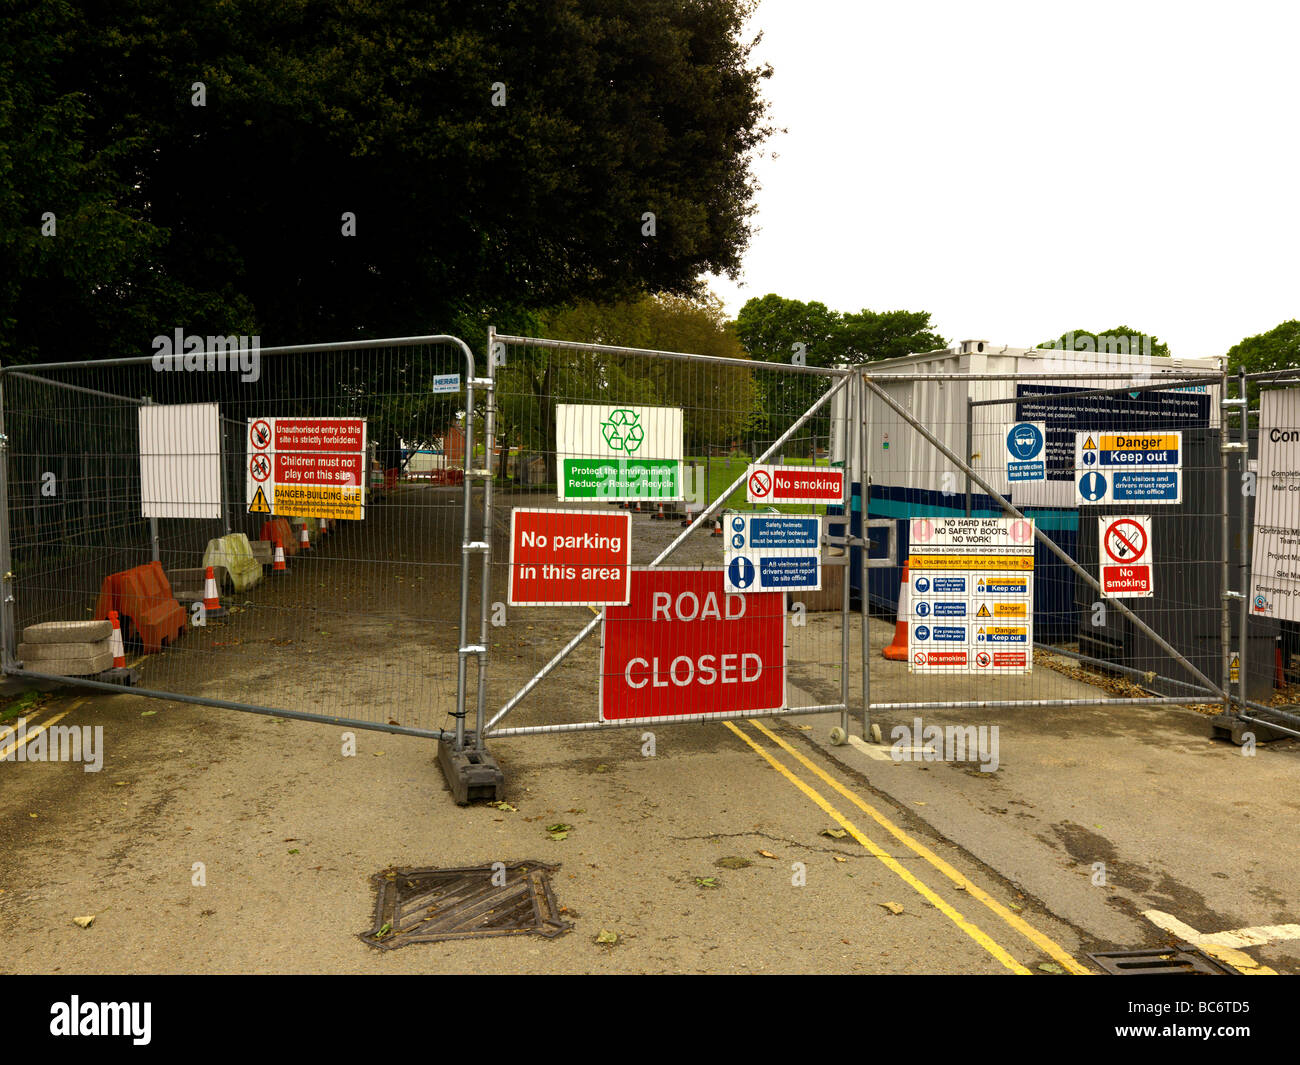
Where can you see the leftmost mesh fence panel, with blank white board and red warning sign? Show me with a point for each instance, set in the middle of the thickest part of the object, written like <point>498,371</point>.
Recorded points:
<point>116,466</point>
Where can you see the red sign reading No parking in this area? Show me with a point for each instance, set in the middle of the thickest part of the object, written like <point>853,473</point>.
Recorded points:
<point>570,559</point>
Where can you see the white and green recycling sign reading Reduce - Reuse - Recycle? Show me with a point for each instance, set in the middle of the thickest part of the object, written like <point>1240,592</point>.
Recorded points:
<point>608,452</point>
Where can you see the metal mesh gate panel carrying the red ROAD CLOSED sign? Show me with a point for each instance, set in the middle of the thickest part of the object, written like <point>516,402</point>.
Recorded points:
<point>666,440</point>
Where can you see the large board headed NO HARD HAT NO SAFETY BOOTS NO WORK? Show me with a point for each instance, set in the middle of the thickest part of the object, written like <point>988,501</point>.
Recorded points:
<point>972,596</point>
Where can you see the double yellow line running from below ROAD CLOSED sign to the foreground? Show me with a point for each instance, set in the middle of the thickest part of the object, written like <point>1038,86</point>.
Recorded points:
<point>1015,921</point>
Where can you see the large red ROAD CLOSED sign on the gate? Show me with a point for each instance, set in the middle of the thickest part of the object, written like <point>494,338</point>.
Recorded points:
<point>684,648</point>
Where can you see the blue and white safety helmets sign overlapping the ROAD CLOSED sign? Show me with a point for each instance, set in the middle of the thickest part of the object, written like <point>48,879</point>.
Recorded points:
<point>773,553</point>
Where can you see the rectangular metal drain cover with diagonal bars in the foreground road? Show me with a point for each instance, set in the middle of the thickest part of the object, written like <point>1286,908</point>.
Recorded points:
<point>427,906</point>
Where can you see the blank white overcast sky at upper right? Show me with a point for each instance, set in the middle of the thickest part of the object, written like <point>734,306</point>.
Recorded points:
<point>1020,170</point>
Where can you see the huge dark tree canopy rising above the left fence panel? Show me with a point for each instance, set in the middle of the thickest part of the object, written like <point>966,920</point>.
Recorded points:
<point>317,172</point>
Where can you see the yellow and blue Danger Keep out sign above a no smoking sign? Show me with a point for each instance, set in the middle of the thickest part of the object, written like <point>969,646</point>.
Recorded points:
<point>1129,469</point>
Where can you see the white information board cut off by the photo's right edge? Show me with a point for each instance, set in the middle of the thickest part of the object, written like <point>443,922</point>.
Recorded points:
<point>1276,552</point>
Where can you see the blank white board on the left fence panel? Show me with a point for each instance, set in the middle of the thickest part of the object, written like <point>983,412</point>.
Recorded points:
<point>180,461</point>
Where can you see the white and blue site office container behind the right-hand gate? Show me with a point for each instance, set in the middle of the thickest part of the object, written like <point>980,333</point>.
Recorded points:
<point>911,478</point>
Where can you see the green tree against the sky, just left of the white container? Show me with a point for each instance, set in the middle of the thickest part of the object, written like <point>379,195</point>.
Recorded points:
<point>783,331</point>
